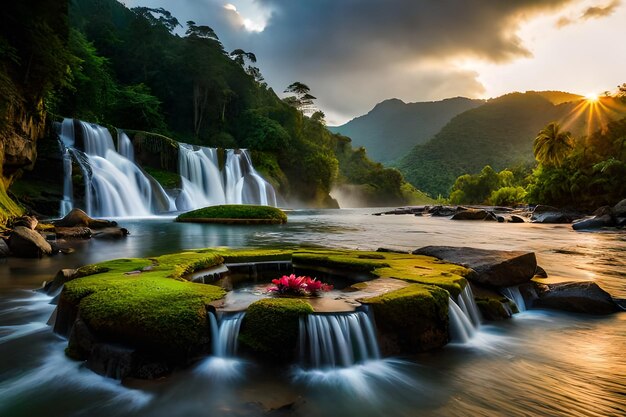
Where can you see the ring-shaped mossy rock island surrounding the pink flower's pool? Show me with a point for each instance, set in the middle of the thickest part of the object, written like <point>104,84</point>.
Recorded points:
<point>148,317</point>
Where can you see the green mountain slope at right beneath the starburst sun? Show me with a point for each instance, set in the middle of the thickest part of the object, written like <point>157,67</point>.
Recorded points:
<point>499,133</point>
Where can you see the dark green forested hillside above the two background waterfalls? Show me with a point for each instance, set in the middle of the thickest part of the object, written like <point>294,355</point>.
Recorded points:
<point>128,68</point>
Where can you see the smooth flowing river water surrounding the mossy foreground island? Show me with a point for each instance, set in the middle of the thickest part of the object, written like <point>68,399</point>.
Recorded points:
<point>538,363</point>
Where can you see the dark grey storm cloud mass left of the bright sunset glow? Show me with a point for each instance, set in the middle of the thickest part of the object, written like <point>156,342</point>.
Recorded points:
<point>354,53</point>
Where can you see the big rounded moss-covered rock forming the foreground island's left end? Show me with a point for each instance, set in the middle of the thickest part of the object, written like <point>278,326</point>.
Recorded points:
<point>142,304</point>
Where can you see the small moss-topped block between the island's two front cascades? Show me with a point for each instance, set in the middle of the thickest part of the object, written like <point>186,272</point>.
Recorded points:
<point>270,327</point>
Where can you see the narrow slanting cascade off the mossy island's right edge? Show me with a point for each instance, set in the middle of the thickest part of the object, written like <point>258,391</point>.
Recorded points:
<point>464,316</point>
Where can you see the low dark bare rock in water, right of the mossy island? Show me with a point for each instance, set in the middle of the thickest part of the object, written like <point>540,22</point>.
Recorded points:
<point>580,297</point>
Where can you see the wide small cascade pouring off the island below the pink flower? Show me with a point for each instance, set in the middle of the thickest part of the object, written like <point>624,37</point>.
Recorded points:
<point>331,340</point>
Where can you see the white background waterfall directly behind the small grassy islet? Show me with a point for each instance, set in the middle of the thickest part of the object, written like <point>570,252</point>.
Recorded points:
<point>205,184</point>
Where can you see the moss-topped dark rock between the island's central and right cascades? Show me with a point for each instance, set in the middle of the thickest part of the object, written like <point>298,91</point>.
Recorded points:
<point>412,319</point>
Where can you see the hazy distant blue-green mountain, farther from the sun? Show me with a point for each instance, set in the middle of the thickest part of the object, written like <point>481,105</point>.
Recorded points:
<point>393,127</point>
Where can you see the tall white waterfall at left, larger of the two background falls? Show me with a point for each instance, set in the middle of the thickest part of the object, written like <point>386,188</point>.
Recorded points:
<point>114,184</point>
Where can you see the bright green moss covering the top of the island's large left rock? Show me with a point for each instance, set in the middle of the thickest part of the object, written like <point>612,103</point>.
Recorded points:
<point>137,301</point>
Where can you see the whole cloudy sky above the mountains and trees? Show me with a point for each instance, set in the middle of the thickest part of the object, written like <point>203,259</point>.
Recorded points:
<point>356,53</point>
